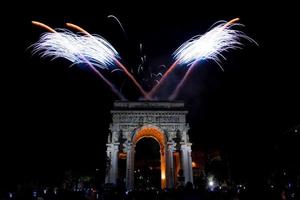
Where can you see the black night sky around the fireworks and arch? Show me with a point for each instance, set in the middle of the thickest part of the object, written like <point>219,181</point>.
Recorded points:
<point>55,118</point>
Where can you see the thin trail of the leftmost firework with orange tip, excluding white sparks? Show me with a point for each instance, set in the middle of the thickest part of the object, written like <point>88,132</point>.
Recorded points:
<point>112,87</point>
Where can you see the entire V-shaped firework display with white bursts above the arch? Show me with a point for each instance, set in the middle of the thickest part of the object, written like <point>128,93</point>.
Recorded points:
<point>97,52</point>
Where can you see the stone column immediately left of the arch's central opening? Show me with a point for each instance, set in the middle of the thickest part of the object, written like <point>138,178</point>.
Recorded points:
<point>130,150</point>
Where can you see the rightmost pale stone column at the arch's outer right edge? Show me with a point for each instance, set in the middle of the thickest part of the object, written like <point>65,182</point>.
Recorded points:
<point>186,162</point>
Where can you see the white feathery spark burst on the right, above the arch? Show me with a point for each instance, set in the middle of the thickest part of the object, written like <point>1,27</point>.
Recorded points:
<point>211,45</point>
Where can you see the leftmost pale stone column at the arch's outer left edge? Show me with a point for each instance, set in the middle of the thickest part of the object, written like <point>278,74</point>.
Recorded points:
<point>113,155</point>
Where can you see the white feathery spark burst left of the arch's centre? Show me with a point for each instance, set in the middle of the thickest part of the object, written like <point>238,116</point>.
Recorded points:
<point>76,48</point>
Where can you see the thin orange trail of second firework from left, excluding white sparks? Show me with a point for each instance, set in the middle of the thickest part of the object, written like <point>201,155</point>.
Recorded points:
<point>119,64</point>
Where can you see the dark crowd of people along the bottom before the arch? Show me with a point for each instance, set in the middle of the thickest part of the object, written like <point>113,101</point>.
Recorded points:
<point>188,192</point>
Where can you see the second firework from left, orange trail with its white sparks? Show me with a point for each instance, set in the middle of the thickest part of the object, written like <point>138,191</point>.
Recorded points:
<point>96,54</point>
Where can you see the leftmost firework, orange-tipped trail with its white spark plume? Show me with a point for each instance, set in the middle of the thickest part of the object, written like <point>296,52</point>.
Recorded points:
<point>66,45</point>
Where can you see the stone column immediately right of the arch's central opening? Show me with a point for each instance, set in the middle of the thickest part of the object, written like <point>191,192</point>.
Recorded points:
<point>170,165</point>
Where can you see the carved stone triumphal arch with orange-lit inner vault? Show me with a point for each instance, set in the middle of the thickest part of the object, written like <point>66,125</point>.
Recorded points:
<point>163,121</point>
